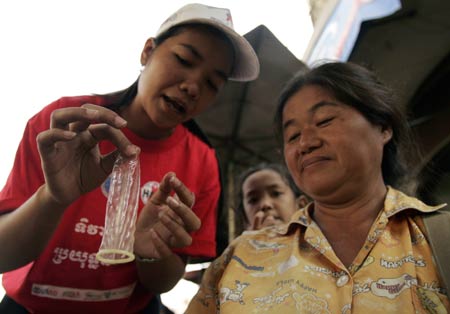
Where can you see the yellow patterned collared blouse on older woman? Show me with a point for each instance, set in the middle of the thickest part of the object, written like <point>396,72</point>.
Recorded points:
<point>293,269</point>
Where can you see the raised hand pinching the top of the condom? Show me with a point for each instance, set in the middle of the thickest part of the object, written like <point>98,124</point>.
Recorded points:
<point>71,160</point>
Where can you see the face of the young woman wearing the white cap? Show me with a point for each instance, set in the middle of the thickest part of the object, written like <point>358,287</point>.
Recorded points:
<point>182,76</point>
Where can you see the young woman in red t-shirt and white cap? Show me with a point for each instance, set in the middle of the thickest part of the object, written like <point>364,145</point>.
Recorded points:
<point>53,203</point>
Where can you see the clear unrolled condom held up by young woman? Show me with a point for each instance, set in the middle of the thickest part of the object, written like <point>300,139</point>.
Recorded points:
<point>121,212</point>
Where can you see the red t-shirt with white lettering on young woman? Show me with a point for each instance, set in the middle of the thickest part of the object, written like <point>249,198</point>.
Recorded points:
<point>66,278</point>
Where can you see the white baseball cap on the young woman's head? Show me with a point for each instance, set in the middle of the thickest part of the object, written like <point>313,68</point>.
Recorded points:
<point>246,64</point>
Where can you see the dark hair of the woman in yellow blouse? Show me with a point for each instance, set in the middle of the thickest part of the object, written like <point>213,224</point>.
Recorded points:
<point>359,88</point>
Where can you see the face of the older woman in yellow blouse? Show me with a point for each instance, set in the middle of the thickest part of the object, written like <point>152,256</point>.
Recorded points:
<point>330,148</point>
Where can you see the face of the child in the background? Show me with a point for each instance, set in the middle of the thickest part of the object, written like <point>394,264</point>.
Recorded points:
<point>268,198</point>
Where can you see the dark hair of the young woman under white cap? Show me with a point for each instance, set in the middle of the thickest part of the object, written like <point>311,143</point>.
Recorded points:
<point>124,97</point>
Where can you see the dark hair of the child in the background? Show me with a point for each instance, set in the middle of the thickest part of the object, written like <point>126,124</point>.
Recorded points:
<point>240,217</point>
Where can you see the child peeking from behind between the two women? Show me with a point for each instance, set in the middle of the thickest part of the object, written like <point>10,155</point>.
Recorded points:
<point>266,196</point>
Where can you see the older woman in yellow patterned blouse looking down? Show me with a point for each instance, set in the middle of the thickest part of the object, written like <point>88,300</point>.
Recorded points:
<point>360,246</point>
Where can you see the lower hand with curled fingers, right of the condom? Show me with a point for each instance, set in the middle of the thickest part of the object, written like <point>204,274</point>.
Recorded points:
<point>166,221</point>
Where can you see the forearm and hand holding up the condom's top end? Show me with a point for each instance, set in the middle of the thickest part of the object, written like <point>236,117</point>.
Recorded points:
<point>72,166</point>
